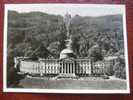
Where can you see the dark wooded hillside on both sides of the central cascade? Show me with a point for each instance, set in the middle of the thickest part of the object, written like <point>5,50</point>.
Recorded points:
<point>42,35</point>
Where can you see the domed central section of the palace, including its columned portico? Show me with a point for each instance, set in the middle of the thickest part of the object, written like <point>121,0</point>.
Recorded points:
<point>67,64</point>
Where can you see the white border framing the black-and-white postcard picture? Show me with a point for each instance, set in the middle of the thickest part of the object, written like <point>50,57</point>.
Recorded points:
<point>5,89</point>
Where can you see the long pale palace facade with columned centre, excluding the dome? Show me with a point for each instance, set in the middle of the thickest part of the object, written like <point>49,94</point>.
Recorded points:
<point>67,67</point>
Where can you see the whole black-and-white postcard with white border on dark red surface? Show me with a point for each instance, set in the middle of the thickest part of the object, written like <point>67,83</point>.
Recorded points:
<point>65,48</point>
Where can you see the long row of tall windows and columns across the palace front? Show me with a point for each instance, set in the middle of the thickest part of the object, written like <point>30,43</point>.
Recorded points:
<point>60,67</point>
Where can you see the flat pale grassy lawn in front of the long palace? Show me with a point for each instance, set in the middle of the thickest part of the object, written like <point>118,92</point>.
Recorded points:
<point>88,83</point>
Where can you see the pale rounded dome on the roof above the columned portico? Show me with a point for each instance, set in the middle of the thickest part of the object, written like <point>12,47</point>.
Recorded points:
<point>67,53</point>
